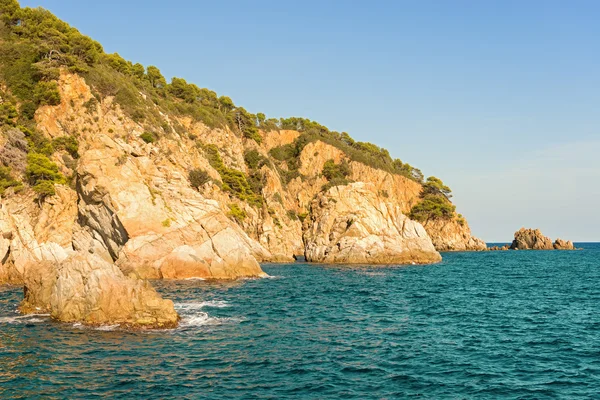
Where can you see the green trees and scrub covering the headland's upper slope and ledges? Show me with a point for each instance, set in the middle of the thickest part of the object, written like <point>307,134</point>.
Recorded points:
<point>36,47</point>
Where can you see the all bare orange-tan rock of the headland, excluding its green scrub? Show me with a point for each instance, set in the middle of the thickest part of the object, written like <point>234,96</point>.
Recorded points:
<point>132,214</point>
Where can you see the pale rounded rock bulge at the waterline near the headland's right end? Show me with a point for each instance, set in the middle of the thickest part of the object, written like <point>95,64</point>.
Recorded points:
<point>350,224</point>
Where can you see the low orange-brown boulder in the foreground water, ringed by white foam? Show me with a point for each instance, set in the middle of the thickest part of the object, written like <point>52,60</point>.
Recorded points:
<point>87,289</point>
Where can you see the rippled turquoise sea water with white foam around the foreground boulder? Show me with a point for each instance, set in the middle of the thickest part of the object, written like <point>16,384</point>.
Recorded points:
<point>495,325</point>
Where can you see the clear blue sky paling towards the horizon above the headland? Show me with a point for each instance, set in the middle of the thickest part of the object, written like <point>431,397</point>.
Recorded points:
<point>500,99</point>
